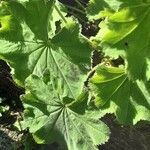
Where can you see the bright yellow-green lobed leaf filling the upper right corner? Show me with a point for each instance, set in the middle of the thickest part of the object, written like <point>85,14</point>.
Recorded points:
<point>125,32</point>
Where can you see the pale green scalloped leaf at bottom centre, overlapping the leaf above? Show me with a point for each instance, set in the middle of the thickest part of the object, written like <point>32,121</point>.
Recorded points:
<point>50,117</point>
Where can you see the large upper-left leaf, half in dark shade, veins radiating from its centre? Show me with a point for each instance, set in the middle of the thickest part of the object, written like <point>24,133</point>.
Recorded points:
<point>64,57</point>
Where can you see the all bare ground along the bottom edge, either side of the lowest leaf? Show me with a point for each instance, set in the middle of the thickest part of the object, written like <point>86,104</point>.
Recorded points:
<point>122,138</point>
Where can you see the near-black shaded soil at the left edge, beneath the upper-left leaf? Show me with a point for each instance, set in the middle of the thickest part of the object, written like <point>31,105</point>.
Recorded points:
<point>9,91</point>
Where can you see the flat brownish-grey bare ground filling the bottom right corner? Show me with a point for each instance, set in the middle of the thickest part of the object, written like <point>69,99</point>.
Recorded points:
<point>127,137</point>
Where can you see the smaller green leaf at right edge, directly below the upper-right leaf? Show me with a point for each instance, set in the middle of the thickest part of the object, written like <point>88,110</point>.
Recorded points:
<point>114,92</point>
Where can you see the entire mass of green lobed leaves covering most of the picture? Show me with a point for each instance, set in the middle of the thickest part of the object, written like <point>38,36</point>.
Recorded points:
<point>51,59</point>
